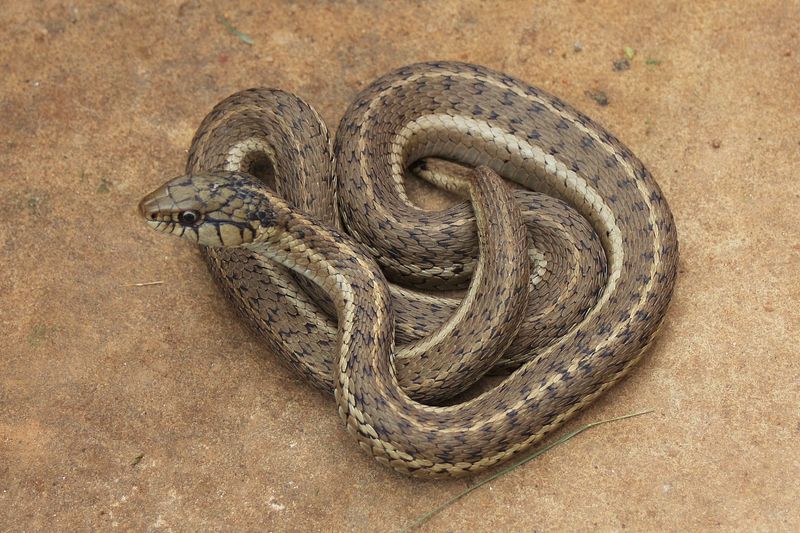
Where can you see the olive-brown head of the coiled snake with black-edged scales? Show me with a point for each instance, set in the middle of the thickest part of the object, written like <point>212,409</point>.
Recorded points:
<point>213,209</point>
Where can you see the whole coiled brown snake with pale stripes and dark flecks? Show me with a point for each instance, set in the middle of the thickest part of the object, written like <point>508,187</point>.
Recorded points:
<point>324,253</point>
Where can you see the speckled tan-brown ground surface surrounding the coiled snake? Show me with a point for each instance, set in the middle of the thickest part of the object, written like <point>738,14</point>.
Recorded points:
<point>152,407</point>
